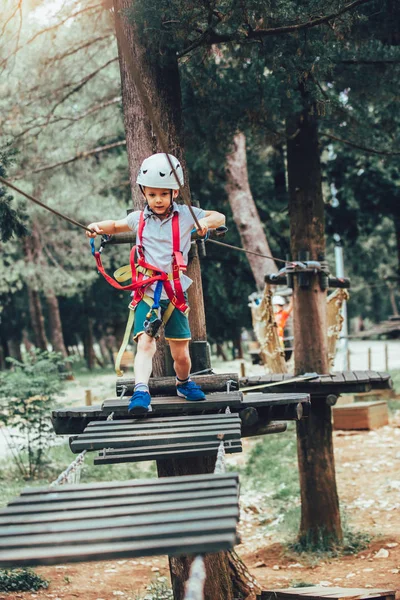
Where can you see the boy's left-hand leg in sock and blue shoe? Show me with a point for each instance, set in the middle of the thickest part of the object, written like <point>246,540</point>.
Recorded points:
<point>140,401</point>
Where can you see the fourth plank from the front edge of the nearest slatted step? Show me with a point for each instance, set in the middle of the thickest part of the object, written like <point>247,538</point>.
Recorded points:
<point>114,511</point>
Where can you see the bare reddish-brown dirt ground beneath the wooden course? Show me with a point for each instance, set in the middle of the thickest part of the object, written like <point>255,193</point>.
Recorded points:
<point>368,476</point>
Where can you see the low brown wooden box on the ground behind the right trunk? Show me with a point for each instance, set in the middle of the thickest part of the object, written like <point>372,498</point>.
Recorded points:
<point>361,415</point>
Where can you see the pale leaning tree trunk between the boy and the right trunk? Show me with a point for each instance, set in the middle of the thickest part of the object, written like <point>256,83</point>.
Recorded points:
<point>245,212</point>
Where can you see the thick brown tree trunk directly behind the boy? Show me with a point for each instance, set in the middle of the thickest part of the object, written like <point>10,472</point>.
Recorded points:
<point>161,82</point>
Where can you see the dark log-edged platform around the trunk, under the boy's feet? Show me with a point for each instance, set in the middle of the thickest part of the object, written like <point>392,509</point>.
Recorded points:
<point>74,420</point>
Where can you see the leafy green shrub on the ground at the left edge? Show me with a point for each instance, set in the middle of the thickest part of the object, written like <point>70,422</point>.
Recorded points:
<point>27,396</point>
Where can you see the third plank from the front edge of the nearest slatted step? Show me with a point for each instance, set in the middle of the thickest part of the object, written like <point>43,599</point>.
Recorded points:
<point>151,519</point>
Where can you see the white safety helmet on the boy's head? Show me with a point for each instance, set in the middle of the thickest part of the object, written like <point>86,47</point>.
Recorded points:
<point>156,172</point>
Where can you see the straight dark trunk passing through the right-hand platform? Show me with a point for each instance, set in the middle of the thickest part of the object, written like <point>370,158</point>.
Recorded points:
<point>320,518</point>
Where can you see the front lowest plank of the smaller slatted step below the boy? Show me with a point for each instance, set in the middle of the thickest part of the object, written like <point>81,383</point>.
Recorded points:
<point>114,458</point>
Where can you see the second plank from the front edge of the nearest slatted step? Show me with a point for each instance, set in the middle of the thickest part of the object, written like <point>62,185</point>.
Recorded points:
<point>117,535</point>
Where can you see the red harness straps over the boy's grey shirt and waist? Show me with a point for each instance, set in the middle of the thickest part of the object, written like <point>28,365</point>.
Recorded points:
<point>139,284</point>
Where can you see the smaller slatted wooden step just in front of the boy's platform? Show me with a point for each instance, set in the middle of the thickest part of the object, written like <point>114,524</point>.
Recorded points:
<point>133,440</point>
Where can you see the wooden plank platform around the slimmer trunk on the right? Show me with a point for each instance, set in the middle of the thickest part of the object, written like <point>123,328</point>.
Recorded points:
<point>335,383</point>
